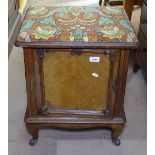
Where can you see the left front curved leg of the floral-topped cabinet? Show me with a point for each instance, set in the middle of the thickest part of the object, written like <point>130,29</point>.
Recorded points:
<point>33,131</point>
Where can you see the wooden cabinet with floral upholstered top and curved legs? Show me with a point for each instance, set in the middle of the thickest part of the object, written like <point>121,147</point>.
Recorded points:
<point>76,66</point>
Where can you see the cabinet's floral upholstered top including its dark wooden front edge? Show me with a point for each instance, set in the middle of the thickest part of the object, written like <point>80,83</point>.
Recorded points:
<point>76,27</point>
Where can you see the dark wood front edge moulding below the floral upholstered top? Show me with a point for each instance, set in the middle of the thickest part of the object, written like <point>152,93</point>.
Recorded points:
<point>69,45</point>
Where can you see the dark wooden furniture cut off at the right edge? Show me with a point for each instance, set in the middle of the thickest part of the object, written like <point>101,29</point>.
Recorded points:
<point>141,55</point>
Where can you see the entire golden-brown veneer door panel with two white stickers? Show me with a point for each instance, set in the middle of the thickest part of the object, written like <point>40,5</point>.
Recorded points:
<point>76,82</point>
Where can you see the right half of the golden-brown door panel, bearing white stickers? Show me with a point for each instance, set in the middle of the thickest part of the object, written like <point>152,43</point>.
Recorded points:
<point>92,82</point>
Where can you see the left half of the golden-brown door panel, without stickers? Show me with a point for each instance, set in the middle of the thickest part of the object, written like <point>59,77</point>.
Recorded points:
<point>59,80</point>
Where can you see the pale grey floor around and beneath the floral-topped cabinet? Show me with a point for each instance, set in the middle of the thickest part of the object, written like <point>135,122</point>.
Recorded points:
<point>93,142</point>
